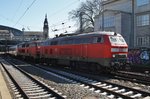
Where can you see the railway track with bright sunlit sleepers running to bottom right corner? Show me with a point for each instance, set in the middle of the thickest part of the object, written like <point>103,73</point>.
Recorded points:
<point>111,90</point>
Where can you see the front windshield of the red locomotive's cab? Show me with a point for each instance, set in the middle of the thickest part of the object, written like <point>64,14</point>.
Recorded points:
<point>117,40</point>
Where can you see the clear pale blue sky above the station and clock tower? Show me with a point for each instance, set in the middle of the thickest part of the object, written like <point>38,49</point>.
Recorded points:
<point>57,13</point>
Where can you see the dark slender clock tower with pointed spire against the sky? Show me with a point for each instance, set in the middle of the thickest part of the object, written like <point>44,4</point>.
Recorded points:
<point>45,28</point>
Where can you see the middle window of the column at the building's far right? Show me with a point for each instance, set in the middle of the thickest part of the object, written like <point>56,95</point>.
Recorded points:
<point>143,20</point>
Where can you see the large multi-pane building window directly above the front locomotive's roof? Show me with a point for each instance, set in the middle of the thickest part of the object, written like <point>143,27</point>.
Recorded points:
<point>109,21</point>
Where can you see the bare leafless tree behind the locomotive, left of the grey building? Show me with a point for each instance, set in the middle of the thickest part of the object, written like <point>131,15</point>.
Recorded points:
<point>85,14</point>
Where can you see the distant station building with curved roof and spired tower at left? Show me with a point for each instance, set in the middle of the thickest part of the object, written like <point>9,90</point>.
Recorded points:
<point>9,33</point>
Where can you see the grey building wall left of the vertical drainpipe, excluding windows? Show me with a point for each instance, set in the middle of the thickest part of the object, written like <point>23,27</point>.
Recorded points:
<point>121,10</point>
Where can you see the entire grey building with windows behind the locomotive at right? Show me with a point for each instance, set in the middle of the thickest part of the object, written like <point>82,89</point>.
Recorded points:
<point>127,17</point>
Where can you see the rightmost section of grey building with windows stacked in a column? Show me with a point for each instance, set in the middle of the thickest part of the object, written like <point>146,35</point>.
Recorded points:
<point>142,23</point>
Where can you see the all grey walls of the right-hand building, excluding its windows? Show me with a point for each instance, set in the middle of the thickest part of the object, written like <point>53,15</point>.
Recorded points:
<point>122,10</point>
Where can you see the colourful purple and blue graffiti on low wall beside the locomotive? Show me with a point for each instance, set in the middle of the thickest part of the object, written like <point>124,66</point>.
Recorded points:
<point>139,56</point>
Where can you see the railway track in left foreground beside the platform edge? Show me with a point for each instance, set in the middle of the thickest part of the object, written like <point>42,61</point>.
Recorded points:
<point>25,86</point>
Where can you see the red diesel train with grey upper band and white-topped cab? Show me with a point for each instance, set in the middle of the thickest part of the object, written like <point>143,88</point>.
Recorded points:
<point>95,51</point>
